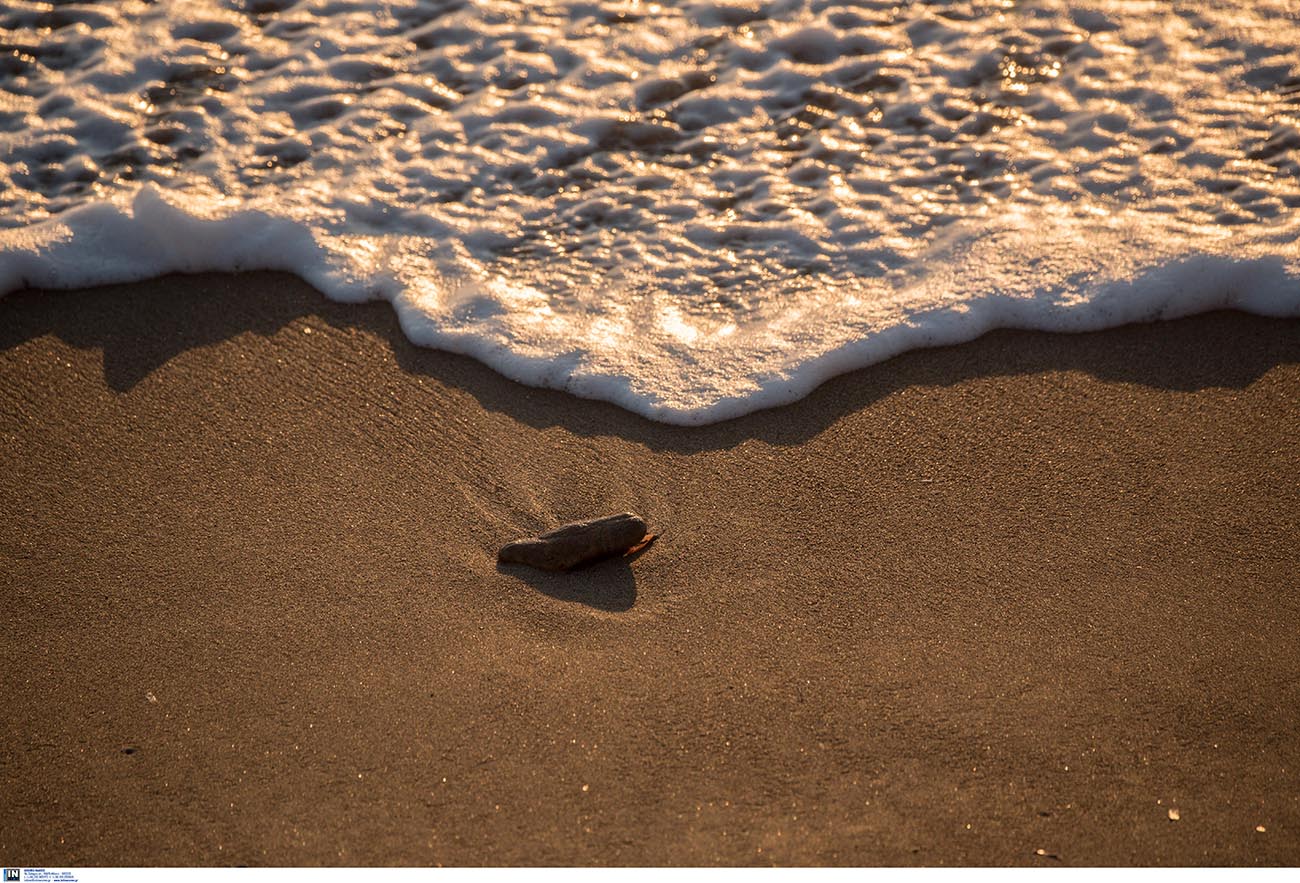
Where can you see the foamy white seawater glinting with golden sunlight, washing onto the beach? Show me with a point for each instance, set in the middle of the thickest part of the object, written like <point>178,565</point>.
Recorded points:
<point>692,210</point>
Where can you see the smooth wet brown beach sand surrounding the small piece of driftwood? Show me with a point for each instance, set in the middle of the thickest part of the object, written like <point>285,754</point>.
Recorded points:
<point>1009,603</point>
